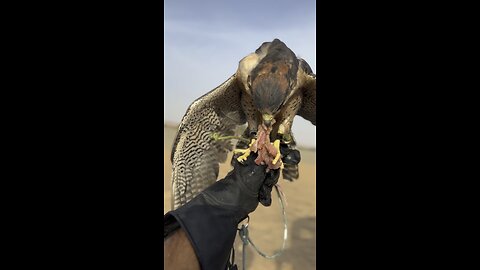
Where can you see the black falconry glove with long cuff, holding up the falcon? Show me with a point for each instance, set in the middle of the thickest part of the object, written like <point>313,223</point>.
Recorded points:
<point>210,219</point>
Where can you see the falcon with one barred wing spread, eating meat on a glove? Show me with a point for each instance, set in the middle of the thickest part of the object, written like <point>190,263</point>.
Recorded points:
<point>270,87</point>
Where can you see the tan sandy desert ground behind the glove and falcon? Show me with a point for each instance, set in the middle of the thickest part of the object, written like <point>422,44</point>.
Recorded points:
<point>266,225</point>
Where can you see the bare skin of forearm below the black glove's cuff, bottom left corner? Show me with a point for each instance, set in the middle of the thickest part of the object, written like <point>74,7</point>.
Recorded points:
<point>178,252</point>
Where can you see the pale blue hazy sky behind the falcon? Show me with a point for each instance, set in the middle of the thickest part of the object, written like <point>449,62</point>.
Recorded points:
<point>205,40</point>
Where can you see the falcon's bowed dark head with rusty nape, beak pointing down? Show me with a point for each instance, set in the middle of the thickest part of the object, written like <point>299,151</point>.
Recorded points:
<point>272,79</point>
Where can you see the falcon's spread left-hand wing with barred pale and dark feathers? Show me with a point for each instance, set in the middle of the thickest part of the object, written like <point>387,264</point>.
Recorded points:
<point>195,155</point>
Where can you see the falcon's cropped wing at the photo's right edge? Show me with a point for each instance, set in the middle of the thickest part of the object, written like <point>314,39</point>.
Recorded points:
<point>308,110</point>
